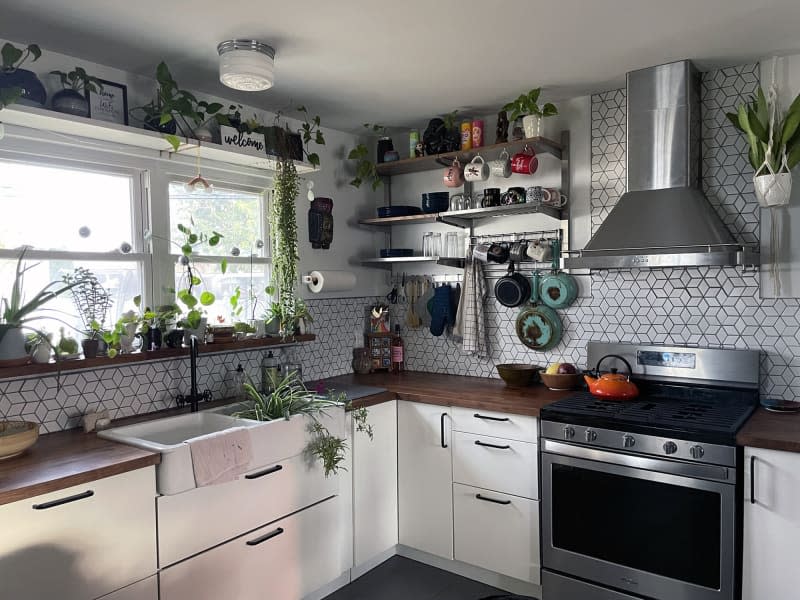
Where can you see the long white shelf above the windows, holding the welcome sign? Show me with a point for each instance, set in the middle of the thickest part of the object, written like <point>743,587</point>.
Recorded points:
<point>56,122</point>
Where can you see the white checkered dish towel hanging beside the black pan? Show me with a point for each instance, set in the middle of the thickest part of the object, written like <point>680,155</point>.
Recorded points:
<point>470,325</point>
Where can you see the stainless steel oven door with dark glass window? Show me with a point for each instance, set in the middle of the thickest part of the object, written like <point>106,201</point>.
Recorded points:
<point>655,528</point>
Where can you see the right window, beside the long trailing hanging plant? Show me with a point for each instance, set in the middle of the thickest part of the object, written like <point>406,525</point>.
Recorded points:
<point>239,216</point>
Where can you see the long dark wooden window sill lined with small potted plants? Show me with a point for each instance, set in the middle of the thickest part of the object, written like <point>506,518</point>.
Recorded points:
<point>103,362</point>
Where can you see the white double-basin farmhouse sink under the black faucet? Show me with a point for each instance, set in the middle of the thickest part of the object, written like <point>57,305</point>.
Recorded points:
<point>272,441</point>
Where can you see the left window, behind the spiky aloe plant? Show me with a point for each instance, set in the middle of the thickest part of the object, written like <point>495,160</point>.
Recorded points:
<point>71,217</point>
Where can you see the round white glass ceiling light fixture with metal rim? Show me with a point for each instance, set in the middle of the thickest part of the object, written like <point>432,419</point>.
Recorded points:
<point>246,65</point>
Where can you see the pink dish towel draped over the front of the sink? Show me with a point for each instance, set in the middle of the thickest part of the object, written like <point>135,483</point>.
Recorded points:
<point>221,456</point>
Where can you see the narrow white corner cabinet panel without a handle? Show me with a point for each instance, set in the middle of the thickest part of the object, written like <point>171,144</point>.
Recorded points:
<point>375,484</point>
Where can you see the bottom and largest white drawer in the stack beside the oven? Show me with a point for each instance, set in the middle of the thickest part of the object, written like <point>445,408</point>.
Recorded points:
<point>498,532</point>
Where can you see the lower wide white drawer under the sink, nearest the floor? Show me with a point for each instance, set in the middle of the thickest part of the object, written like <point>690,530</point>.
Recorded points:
<point>285,560</point>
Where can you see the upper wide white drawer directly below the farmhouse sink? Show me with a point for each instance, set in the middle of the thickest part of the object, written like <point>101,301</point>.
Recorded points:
<point>195,520</point>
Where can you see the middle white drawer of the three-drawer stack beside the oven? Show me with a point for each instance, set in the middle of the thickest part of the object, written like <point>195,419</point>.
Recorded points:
<point>499,464</point>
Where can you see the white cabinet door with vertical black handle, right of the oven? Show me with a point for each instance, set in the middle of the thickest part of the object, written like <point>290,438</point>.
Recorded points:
<point>771,525</point>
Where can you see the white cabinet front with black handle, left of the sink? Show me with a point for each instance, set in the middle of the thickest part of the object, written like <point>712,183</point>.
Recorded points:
<point>81,542</point>
